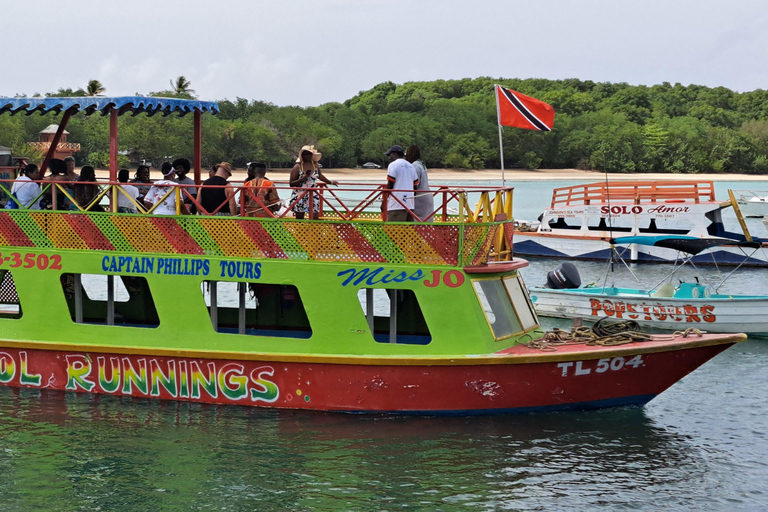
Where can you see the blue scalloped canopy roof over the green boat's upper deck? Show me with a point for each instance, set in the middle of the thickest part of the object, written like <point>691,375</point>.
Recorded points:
<point>133,104</point>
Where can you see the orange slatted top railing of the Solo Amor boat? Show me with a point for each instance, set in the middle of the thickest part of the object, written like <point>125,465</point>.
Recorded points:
<point>634,192</point>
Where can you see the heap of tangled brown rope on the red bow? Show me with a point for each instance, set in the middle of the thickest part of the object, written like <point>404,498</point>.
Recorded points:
<point>606,332</point>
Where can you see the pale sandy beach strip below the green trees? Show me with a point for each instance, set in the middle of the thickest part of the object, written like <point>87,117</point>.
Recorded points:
<point>510,175</point>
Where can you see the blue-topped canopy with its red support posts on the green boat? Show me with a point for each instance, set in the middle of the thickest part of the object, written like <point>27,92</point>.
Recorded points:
<point>114,107</point>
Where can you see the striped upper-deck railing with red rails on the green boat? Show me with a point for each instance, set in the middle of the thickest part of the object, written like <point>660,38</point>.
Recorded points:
<point>350,226</point>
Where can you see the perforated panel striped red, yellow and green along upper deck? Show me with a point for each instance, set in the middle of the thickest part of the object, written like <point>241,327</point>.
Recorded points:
<point>450,244</point>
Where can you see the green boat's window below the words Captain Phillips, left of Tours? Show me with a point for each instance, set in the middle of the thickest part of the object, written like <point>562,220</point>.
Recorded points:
<point>111,300</point>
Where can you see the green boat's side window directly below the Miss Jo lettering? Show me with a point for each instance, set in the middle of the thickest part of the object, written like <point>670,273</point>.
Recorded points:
<point>394,316</point>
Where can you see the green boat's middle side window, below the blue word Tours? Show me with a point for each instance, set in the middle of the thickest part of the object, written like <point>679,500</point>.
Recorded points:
<point>256,309</point>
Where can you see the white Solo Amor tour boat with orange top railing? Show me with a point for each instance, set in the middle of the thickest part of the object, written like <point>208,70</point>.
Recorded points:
<point>582,219</point>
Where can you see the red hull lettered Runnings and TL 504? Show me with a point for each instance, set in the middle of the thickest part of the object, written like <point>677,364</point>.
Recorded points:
<point>516,380</point>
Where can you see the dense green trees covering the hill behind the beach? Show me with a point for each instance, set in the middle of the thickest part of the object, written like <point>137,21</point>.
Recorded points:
<point>604,126</point>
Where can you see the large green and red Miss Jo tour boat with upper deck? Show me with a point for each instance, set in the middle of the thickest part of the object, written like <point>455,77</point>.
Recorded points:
<point>347,313</point>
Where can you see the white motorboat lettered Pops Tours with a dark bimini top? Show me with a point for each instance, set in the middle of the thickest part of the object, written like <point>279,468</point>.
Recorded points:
<point>672,304</point>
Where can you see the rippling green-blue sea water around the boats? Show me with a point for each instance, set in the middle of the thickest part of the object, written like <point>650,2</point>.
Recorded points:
<point>701,445</point>
